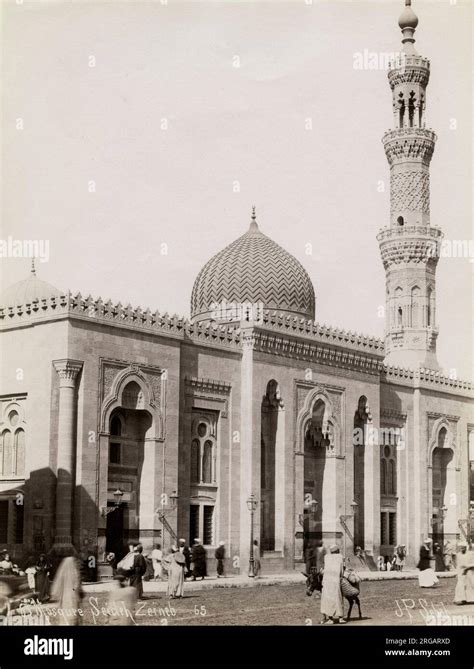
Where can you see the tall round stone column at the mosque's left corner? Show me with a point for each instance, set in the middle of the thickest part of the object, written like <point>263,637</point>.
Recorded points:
<point>67,371</point>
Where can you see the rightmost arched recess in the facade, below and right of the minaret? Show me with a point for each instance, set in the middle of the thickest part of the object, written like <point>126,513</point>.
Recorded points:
<point>443,462</point>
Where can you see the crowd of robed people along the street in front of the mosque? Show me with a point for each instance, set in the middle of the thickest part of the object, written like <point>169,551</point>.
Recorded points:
<point>333,578</point>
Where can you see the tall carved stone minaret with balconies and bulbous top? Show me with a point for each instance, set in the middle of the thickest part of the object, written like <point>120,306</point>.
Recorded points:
<point>410,246</point>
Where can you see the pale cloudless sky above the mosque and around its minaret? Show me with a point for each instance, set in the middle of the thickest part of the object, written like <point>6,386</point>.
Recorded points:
<point>136,136</point>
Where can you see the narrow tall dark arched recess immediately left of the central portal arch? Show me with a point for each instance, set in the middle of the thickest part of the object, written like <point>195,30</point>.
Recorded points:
<point>272,432</point>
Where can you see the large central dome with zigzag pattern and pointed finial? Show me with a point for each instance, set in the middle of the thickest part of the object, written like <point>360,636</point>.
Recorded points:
<point>253,269</point>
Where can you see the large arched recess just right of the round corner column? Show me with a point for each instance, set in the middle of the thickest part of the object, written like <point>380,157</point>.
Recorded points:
<point>131,425</point>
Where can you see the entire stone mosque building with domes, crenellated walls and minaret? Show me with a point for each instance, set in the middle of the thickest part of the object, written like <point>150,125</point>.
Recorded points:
<point>120,424</point>
